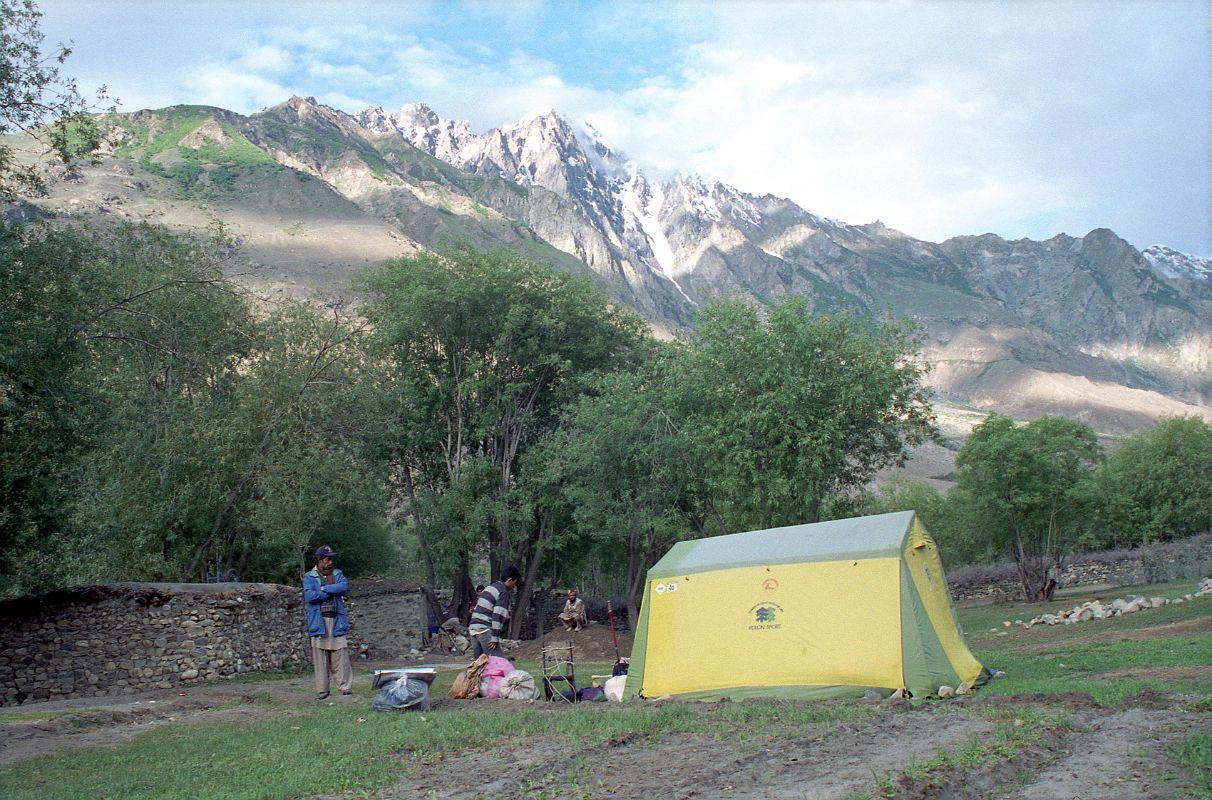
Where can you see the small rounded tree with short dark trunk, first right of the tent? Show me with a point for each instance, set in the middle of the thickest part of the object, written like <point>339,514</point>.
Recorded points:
<point>1026,489</point>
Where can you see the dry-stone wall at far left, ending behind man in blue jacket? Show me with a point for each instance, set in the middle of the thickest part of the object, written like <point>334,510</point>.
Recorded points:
<point>123,639</point>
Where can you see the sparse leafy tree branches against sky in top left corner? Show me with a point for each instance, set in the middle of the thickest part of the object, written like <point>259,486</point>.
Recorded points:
<point>37,99</point>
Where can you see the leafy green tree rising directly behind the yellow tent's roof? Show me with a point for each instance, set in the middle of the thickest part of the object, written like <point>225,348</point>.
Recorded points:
<point>797,408</point>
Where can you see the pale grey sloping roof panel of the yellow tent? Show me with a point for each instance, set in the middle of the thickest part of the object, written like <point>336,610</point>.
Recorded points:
<point>861,538</point>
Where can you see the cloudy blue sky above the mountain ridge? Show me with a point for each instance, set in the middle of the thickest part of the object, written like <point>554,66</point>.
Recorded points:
<point>1022,119</point>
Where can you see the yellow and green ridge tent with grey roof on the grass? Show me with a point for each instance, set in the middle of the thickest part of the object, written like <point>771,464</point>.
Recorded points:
<point>802,612</point>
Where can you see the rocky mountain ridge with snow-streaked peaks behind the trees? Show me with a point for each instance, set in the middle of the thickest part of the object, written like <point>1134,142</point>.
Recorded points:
<point>1085,327</point>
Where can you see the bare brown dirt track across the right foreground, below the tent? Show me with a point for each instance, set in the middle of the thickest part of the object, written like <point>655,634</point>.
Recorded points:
<point>1111,755</point>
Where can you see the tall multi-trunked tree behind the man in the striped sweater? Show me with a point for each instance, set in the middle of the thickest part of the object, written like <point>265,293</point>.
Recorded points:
<point>488,347</point>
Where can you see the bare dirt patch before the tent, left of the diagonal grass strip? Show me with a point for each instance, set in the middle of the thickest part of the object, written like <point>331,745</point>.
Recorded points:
<point>827,763</point>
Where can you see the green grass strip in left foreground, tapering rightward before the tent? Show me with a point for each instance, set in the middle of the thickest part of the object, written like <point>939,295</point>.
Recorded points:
<point>278,757</point>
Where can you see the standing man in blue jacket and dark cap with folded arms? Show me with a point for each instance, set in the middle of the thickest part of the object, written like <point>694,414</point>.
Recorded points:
<point>325,588</point>
